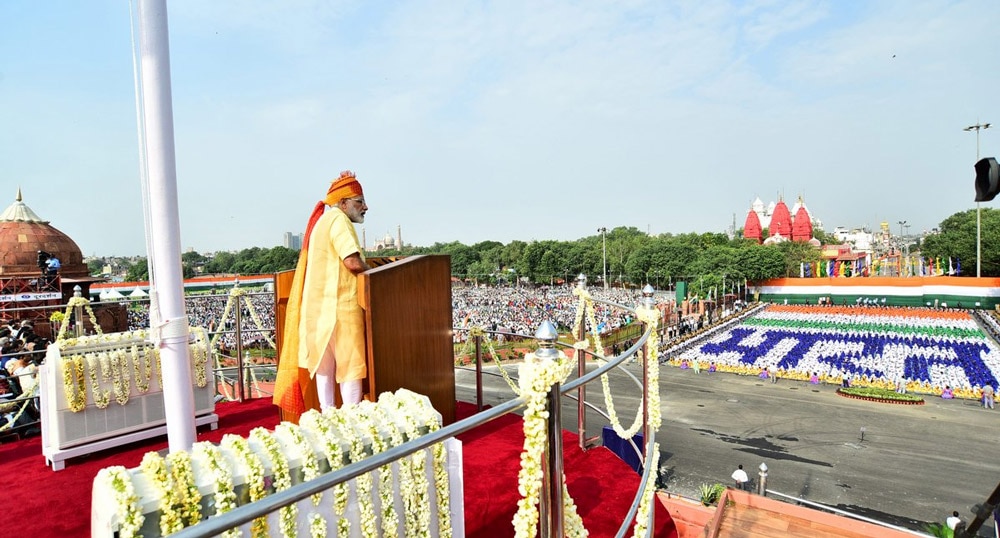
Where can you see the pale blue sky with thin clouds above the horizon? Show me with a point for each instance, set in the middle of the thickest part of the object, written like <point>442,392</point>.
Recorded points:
<point>503,120</point>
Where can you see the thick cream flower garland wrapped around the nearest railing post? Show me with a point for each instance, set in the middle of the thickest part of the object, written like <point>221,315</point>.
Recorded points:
<point>537,377</point>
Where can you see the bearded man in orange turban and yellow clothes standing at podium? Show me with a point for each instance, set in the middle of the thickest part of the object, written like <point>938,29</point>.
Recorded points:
<point>324,340</point>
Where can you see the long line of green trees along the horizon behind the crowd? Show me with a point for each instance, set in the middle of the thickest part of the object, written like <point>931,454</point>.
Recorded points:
<point>630,257</point>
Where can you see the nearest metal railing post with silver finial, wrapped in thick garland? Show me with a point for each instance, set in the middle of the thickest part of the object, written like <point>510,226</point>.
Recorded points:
<point>551,500</point>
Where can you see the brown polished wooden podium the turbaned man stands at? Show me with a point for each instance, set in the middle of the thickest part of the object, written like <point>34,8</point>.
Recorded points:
<point>407,304</point>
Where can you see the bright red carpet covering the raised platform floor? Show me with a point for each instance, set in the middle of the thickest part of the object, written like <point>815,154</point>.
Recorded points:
<point>47,504</point>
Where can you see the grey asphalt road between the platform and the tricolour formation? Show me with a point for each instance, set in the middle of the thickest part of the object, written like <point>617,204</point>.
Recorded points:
<point>914,465</point>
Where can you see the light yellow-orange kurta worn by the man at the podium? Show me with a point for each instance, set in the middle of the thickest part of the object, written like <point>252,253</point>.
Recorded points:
<point>331,320</point>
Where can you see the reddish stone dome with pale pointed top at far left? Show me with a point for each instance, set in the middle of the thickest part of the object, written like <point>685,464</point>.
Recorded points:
<point>23,233</point>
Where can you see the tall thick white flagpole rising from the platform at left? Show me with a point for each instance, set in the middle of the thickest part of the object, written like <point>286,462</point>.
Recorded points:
<point>178,396</point>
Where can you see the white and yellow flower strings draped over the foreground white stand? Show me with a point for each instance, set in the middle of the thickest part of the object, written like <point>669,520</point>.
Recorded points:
<point>266,462</point>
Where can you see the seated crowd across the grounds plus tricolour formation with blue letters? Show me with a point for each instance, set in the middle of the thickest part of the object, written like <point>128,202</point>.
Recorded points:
<point>941,351</point>
